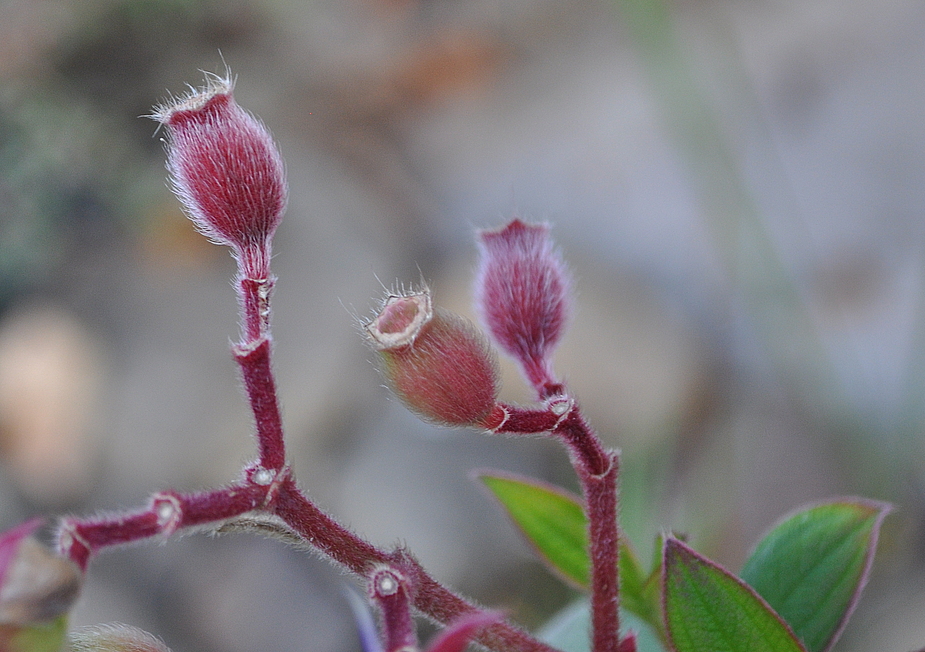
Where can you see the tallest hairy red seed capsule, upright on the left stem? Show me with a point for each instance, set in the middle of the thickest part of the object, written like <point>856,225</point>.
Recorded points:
<point>226,170</point>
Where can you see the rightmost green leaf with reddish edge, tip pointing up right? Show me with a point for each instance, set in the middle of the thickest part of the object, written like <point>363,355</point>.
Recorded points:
<point>812,566</point>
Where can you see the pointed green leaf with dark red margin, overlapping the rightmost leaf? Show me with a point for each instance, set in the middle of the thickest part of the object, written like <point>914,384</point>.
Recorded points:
<point>707,609</point>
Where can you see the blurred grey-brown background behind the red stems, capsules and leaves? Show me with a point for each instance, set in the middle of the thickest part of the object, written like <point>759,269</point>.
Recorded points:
<point>737,186</point>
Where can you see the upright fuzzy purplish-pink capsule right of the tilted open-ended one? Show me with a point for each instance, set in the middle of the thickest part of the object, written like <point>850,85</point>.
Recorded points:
<point>522,294</point>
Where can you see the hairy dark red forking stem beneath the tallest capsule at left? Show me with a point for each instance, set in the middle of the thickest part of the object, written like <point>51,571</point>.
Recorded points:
<point>270,488</point>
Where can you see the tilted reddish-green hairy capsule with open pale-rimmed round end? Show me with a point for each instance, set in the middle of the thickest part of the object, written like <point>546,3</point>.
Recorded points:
<point>438,363</point>
